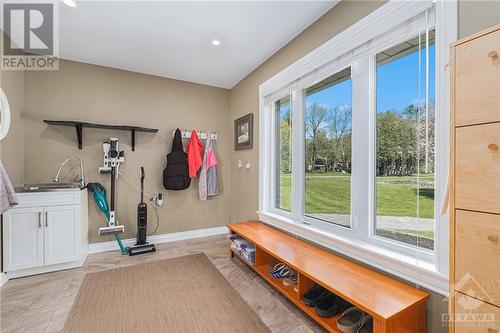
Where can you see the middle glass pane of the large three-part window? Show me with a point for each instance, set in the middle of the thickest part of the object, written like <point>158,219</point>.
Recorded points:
<point>328,123</point>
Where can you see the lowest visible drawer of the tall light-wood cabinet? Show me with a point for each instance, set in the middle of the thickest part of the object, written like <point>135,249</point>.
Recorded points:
<point>475,316</point>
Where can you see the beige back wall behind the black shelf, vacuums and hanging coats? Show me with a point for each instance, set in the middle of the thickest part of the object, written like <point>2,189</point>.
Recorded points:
<point>97,94</point>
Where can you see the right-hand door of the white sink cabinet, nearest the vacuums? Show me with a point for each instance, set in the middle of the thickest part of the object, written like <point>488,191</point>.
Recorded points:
<point>62,234</point>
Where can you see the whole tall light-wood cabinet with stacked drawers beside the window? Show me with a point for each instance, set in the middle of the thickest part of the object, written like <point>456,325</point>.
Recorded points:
<point>475,189</point>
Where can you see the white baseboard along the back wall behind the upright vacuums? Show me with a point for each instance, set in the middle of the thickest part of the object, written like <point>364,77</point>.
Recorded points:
<point>159,239</point>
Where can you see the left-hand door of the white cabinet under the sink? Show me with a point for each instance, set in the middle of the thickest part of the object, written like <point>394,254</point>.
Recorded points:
<point>22,238</point>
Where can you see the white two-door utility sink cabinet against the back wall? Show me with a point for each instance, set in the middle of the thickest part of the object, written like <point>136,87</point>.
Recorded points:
<point>47,231</point>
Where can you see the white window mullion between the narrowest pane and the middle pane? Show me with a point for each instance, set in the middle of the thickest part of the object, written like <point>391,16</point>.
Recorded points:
<point>298,151</point>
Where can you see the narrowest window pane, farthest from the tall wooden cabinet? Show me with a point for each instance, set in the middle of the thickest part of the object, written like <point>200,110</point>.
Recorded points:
<point>284,156</point>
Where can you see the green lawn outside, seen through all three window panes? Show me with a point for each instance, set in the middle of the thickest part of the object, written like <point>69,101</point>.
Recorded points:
<point>396,196</point>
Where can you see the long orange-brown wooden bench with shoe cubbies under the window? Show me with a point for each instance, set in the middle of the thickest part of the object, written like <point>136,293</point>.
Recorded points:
<point>395,306</point>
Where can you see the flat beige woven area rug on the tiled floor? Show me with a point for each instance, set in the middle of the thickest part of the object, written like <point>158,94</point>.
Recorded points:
<point>185,294</point>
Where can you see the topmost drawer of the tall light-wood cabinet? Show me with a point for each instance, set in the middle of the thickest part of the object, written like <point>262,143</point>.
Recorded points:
<point>477,80</point>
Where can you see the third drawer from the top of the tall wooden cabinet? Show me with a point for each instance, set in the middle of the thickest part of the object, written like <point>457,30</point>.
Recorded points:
<point>477,255</point>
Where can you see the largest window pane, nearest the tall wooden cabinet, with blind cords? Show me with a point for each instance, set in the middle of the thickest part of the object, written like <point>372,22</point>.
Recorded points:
<point>405,142</point>
